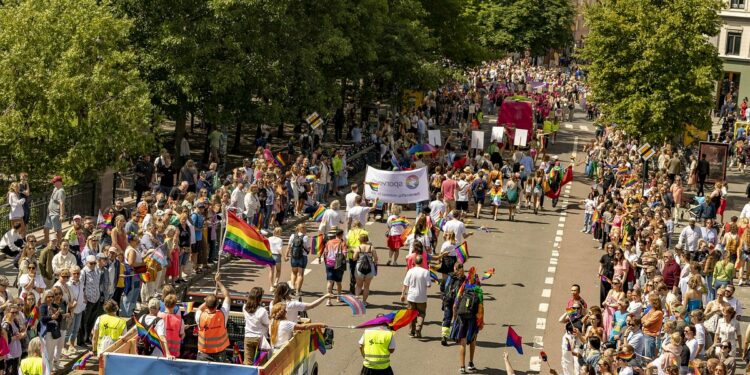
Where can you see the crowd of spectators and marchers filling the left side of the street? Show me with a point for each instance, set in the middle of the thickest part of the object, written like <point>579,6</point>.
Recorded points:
<point>77,292</point>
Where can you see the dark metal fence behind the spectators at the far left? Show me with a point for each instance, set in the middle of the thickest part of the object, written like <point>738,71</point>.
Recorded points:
<point>79,200</point>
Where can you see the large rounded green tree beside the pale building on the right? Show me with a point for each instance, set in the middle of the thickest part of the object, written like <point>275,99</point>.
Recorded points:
<point>651,66</point>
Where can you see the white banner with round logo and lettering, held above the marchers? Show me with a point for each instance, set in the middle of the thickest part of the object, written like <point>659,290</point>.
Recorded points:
<point>398,186</point>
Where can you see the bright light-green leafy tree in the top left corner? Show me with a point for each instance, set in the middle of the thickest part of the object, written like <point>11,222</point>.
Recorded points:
<point>72,99</point>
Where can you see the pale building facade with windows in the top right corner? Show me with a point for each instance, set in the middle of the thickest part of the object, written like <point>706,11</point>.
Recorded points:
<point>733,45</point>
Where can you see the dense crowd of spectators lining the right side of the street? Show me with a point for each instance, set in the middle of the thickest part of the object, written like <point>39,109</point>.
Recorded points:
<point>667,301</point>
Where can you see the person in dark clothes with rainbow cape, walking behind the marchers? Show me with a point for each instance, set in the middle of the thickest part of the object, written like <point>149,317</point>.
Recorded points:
<point>468,318</point>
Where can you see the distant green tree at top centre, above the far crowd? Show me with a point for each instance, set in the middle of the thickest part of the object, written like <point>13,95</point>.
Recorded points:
<point>521,25</point>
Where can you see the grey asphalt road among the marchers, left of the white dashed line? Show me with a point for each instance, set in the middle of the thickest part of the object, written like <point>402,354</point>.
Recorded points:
<point>520,251</point>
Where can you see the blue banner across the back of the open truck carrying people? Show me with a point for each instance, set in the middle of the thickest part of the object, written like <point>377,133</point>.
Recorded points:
<point>118,364</point>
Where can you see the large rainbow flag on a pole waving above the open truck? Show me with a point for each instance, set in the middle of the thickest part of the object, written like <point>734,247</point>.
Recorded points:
<point>244,240</point>
